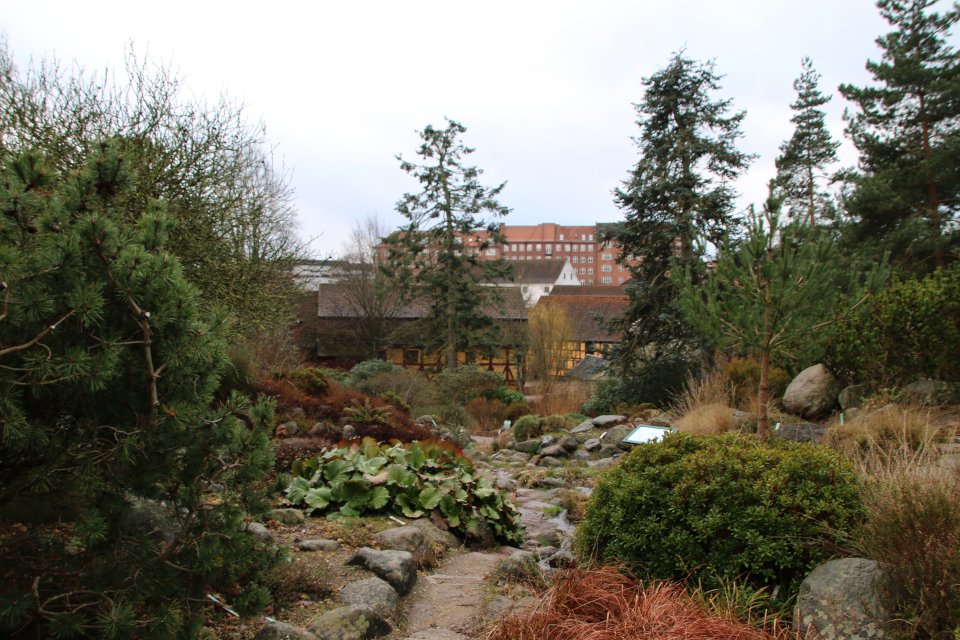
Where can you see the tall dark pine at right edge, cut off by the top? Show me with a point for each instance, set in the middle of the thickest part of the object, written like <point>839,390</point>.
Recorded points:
<point>906,191</point>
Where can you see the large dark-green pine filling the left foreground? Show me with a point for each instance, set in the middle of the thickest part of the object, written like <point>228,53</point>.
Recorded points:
<point>109,366</point>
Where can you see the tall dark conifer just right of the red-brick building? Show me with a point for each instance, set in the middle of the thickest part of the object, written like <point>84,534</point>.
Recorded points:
<point>679,190</point>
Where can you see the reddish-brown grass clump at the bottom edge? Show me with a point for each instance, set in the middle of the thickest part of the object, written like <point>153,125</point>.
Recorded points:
<point>605,604</point>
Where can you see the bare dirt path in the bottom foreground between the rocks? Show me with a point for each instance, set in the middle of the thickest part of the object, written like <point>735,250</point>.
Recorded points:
<point>448,602</point>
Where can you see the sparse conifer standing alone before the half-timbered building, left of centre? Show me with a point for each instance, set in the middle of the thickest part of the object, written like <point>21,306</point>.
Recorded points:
<point>428,257</point>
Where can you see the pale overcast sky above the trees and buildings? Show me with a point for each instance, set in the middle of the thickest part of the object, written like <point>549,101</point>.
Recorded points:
<point>545,89</point>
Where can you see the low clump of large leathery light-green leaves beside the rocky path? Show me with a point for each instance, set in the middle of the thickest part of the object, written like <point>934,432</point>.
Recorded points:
<point>413,480</point>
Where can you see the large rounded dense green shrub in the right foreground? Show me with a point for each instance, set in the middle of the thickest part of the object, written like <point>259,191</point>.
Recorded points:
<point>714,508</point>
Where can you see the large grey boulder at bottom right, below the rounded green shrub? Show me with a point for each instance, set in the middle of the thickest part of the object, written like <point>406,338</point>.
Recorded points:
<point>839,601</point>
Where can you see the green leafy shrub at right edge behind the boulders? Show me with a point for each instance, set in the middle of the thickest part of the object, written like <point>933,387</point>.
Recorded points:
<point>912,330</point>
